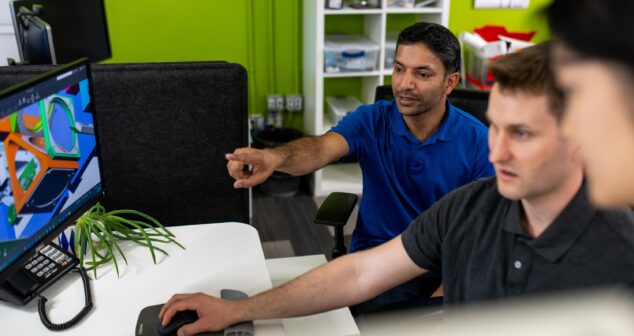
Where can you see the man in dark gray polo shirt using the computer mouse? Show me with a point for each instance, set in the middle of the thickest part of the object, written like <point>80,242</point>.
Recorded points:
<point>529,230</point>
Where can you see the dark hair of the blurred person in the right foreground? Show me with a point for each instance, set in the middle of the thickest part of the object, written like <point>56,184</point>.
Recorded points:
<point>595,28</point>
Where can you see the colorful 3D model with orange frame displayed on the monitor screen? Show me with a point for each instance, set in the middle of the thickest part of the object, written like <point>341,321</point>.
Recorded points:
<point>40,159</point>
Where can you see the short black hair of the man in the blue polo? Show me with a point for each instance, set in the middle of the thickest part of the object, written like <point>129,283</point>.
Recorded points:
<point>438,39</point>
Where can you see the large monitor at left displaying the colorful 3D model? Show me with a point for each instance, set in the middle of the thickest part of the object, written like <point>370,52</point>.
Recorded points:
<point>49,164</point>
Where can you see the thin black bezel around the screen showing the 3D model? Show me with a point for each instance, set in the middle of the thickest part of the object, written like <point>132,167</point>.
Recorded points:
<point>19,262</point>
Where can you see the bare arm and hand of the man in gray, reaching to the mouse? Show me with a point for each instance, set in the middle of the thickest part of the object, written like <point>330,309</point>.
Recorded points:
<point>342,282</point>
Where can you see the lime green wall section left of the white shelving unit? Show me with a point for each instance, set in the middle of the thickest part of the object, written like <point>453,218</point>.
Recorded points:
<point>262,35</point>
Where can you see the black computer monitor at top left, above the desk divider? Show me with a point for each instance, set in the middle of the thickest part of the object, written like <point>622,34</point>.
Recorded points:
<point>78,28</point>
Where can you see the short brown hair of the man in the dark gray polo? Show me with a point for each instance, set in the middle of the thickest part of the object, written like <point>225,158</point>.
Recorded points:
<point>529,70</point>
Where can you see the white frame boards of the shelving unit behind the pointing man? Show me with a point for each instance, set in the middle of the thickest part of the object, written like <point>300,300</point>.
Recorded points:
<point>347,177</point>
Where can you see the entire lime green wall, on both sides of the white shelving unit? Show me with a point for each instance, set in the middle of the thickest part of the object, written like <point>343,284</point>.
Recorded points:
<point>262,35</point>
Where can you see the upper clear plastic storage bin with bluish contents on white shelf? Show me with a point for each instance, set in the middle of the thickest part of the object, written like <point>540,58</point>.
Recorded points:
<point>348,53</point>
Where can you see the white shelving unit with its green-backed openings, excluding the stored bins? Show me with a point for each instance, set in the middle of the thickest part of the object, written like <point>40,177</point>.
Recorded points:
<point>374,23</point>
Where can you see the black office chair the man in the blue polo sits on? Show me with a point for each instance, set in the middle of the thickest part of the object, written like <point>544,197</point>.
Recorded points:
<point>336,209</point>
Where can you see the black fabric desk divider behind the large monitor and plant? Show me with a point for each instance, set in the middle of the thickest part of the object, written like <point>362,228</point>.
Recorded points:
<point>163,130</point>
